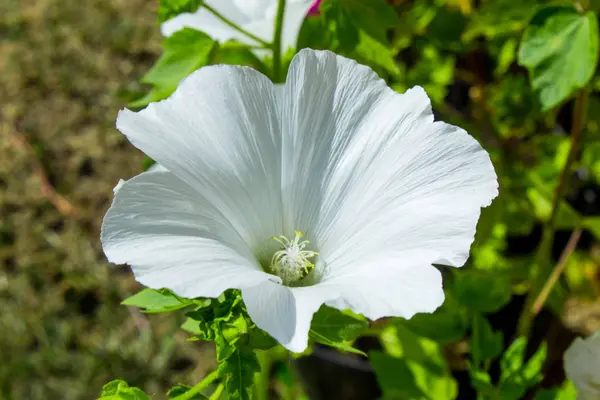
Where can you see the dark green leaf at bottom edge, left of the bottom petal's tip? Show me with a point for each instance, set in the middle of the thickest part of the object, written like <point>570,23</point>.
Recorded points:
<point>239,370</point>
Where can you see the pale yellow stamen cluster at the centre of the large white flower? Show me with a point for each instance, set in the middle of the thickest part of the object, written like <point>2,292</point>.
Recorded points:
<point>292,263</point>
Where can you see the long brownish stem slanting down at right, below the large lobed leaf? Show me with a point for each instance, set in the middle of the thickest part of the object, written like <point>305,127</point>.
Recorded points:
<point>542,260</point>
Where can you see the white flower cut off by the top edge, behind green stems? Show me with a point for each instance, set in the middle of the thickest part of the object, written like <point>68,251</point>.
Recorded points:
<point>254,16</point>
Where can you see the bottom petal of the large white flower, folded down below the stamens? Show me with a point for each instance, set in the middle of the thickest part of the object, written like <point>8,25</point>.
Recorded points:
<point>286,313</point>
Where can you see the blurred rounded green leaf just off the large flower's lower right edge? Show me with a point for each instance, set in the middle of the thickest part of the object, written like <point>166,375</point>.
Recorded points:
<point>481,291</point>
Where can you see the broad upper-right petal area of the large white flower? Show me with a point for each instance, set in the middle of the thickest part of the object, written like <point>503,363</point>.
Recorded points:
<point>384,178</point>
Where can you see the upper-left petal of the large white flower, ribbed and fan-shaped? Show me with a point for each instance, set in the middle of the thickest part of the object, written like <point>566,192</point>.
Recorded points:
<point>219,133</point>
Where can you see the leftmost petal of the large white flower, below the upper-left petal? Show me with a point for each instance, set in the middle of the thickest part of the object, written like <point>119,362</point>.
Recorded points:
<point>174,238</point>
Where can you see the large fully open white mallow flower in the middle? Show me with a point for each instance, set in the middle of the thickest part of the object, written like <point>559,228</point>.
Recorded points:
<point>330,189</point>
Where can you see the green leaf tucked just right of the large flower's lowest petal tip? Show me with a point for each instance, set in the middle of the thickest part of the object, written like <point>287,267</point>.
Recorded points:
<point>334,328</point>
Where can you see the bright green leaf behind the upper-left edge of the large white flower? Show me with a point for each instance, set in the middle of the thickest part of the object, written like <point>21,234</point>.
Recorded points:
<point>184,52</point>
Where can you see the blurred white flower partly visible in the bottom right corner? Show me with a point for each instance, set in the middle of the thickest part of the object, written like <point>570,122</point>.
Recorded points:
<point>582,366</point>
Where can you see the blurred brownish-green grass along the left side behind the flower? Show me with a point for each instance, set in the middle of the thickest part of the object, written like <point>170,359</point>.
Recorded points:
<point>66,67</point>
